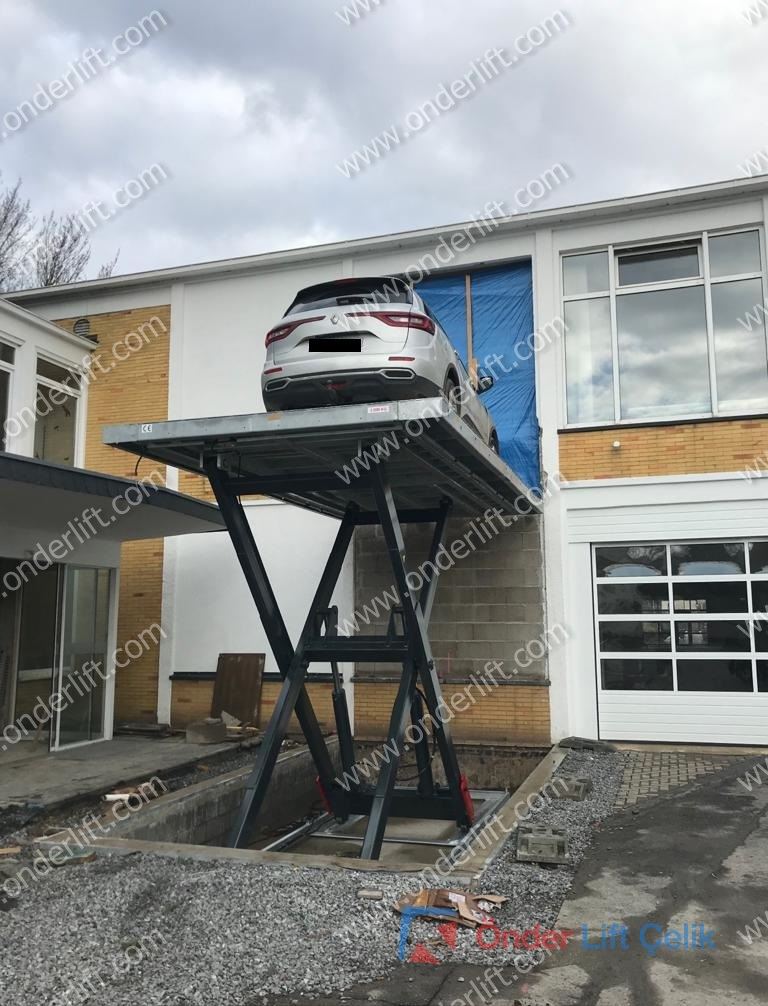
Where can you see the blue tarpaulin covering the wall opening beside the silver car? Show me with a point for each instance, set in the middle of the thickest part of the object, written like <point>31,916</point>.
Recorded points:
<point>503,321</point>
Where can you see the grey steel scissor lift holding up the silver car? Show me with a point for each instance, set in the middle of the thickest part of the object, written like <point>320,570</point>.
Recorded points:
<point>389,464</point>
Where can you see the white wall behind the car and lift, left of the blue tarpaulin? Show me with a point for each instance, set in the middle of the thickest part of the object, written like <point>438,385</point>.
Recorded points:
<point>218,332</point>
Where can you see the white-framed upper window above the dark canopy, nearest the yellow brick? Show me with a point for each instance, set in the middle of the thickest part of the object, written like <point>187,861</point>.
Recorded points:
<point>56,413</point>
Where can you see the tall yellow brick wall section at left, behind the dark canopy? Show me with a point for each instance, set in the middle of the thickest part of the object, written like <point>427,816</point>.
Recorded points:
<point>131,390</point>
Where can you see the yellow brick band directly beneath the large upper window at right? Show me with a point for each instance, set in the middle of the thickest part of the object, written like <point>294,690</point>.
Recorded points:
<point>680,449</point>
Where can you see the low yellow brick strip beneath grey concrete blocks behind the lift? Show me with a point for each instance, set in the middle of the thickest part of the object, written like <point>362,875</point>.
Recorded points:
<point>509,714</point>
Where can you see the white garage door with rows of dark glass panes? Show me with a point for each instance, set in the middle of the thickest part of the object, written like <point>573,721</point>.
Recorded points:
<point>682,637</point>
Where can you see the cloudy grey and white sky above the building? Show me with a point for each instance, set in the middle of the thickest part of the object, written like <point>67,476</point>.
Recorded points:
<point>249,106</point>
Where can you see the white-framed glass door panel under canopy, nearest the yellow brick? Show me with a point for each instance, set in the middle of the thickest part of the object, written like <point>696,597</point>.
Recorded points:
<point>84,667</point>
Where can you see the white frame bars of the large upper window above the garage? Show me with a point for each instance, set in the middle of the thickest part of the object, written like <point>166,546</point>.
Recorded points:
<point>616,291</point>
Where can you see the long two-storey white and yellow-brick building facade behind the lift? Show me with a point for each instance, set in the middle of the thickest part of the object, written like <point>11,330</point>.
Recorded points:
<point>635,608</point>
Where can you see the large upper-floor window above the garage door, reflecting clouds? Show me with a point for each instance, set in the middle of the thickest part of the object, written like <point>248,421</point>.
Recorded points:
<point>669,331</point>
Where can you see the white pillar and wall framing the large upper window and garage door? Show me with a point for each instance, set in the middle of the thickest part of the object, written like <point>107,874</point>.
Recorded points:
<point>572,668</point>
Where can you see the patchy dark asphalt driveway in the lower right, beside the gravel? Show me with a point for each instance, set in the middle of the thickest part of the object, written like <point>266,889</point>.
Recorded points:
<point>661,910</point>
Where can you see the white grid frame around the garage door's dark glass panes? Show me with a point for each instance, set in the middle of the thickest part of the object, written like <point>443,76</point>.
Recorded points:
<point>750,617</point>
